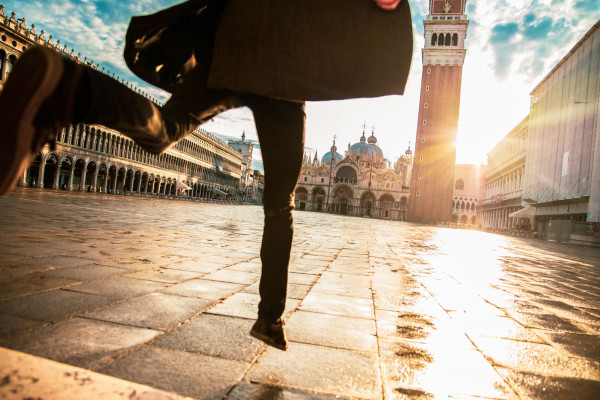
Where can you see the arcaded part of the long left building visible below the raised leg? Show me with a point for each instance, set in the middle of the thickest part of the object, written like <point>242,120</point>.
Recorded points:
<point>95,159</point>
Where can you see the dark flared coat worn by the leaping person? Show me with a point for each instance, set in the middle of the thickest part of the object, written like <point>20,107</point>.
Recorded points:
<point>294,50</point>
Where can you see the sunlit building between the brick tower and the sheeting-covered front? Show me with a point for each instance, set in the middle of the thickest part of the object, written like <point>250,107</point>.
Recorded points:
<point>503,183</point>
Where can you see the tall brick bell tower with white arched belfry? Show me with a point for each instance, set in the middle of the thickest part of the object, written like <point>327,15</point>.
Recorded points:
<point>435,152</point>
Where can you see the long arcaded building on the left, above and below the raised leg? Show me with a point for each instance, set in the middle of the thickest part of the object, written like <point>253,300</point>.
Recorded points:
<point>96,159</point>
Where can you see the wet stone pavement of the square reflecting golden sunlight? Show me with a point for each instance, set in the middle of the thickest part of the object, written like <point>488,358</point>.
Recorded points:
<point>163,293</point>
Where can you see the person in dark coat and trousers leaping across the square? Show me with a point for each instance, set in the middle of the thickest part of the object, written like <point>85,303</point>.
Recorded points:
<point>214,55</point>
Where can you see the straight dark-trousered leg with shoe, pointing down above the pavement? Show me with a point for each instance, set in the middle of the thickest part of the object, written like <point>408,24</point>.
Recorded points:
<point>280,126</point>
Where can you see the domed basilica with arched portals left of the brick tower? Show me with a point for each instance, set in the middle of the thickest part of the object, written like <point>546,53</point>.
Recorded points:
<point>359,183</point>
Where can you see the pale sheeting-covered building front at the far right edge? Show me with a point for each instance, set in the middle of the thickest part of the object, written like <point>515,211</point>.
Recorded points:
<point>562,171</point>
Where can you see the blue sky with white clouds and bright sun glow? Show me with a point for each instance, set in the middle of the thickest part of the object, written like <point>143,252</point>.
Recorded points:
<point>511,46</point>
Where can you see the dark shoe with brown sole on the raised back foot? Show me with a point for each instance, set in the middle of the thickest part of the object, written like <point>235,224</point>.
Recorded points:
<point>33,82</point>
